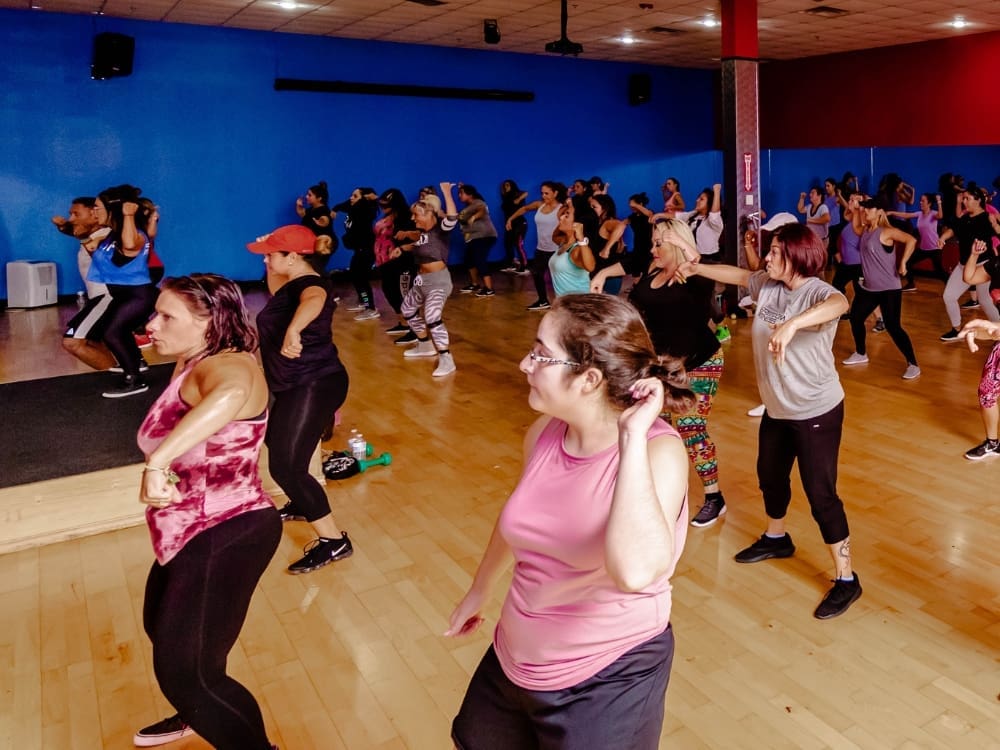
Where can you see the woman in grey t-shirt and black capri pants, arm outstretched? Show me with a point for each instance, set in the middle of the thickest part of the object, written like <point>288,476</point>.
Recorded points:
<point>793,332</point>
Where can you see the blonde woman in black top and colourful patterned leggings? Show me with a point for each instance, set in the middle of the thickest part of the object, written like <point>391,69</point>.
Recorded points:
<point>677,316</point>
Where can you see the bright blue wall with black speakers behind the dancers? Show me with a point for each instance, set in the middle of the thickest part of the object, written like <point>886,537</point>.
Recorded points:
<point>199,127</point>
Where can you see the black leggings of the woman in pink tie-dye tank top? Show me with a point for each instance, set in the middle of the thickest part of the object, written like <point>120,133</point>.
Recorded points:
<point>194,610</point>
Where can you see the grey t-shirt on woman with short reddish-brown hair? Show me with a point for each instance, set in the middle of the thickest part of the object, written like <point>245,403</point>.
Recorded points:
<point>806,385</point>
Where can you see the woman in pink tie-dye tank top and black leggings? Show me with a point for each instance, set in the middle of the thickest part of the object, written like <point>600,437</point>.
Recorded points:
<point>213,528</point>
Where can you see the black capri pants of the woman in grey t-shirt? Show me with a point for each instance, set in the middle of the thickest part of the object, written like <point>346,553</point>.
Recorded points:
<point>815,443</point>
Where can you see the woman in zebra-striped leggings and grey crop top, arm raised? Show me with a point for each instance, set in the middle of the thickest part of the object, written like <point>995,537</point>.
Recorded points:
<point>423,305</point>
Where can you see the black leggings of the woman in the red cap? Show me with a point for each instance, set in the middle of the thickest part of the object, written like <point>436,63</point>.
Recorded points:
<point>298,418</point>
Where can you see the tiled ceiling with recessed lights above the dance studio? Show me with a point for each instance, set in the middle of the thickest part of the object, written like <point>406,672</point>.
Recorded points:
<point>786,30</point>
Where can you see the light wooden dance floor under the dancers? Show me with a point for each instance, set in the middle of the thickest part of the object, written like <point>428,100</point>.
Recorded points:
<point>352,656</point>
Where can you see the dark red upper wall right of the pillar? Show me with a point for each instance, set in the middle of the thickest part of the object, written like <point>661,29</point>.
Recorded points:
<point>939,93</point>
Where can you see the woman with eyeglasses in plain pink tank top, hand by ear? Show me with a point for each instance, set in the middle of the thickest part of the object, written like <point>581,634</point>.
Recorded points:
<point>581,654</point>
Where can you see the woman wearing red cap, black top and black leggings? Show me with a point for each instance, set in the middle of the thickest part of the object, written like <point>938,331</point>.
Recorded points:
<point>306,378</point>
